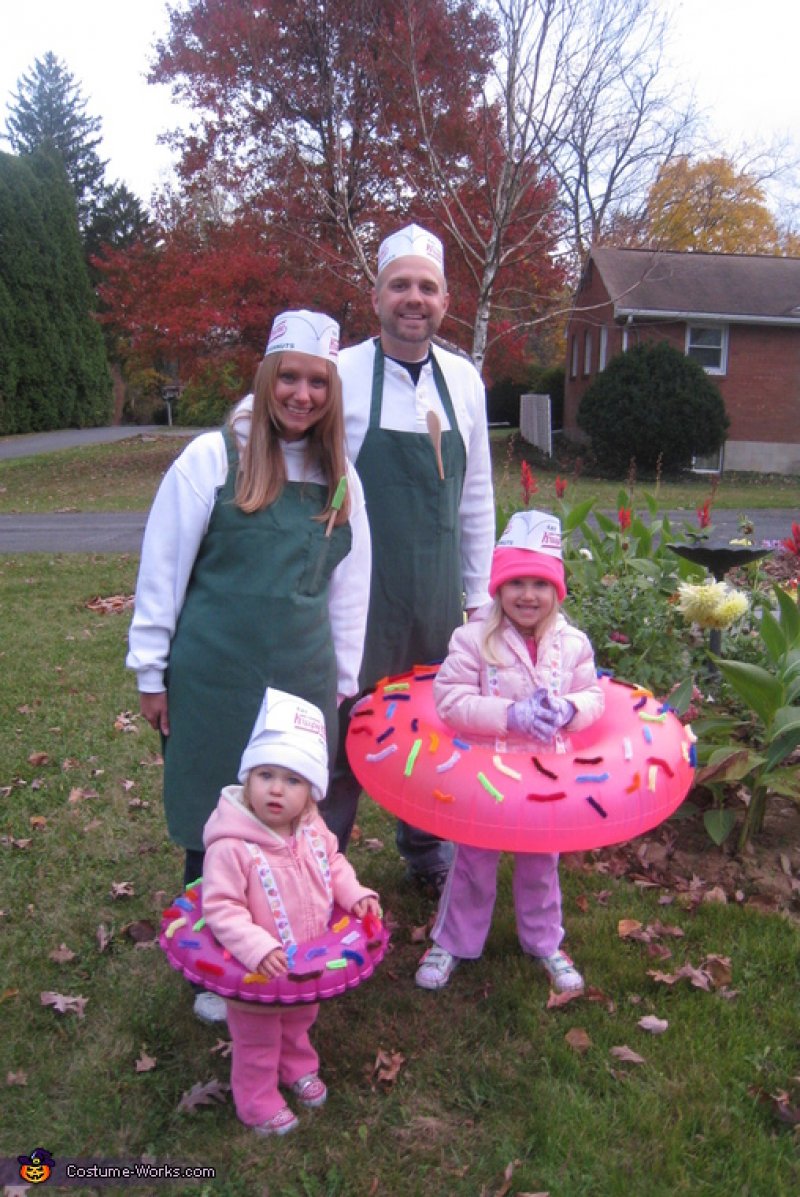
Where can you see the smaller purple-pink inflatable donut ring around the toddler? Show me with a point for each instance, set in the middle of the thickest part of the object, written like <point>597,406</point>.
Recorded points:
<point>318,969</point>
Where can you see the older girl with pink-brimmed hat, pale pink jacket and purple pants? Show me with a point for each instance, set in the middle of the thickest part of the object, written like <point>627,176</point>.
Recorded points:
<point>518,672</point>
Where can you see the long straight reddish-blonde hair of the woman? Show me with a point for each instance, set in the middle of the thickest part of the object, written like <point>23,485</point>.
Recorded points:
<point>263,472</point>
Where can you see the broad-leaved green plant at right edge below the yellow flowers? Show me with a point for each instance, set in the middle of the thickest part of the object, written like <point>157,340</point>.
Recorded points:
<point>772,695</point>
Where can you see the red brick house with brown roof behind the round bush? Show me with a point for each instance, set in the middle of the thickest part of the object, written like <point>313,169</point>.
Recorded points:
<point>738,315</point>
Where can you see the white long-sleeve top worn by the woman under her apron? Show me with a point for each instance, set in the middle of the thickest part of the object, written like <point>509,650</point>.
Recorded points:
<point>177,526</point>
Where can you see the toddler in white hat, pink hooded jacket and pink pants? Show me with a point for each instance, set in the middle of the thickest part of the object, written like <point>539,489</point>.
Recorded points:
<point>271,874</point>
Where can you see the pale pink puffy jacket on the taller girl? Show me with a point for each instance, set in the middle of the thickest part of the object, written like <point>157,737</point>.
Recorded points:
<point>475,696</point>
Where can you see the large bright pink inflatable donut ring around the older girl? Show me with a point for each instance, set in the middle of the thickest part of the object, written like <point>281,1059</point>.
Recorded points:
<point>622,776</point>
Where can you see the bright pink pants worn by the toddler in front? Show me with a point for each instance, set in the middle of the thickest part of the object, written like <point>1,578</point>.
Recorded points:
<point>270,1047</point>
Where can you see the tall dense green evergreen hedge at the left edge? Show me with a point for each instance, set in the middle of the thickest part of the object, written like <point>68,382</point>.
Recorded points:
<point>54,373</point>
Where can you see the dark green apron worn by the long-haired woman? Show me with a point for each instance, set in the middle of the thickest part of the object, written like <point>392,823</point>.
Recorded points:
<point>256,616</point>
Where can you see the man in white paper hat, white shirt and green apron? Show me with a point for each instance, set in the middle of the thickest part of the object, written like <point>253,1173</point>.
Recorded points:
<point>433,530</point>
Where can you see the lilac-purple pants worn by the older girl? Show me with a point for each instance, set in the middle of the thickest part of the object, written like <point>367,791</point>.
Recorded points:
<point>466,907</point>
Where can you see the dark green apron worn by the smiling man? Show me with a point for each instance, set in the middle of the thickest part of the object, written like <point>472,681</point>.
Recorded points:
<point>417,590</point>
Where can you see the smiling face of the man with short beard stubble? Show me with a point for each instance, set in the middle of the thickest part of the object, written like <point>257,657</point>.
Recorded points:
<point>410,300</point>
